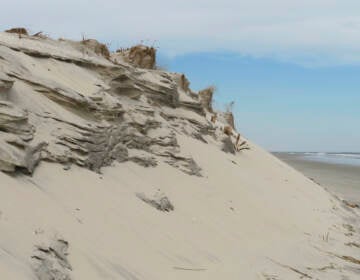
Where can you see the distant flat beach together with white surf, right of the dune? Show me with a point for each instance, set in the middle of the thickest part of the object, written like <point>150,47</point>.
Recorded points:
<point>339,173</point>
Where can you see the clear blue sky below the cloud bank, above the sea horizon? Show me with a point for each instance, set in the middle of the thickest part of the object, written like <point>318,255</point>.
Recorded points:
<point>281,106</point>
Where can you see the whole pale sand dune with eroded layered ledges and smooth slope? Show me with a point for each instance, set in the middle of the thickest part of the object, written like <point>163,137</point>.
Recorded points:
<point>111,171</point>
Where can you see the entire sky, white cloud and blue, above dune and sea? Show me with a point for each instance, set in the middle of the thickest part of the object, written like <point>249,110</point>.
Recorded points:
<point>291,67</point>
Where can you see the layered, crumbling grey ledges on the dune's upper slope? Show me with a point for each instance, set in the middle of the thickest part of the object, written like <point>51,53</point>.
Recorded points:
<point>78,107</point>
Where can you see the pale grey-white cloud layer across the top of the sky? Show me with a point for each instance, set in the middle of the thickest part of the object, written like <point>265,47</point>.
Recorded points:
<point>315,32</point>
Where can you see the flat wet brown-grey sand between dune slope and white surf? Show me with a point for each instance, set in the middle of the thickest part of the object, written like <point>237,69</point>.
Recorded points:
<point>341,179</point>
